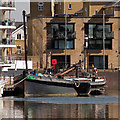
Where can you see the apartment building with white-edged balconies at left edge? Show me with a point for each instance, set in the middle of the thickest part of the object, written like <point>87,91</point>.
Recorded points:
<point>7,24</point>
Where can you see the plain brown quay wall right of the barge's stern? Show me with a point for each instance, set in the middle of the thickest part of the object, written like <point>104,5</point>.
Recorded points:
<point>112,77</point>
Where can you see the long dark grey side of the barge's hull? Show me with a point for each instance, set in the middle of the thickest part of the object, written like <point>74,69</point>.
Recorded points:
<point>45,88</point>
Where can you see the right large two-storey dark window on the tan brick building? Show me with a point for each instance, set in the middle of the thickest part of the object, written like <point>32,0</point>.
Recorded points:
<point>95,36</point>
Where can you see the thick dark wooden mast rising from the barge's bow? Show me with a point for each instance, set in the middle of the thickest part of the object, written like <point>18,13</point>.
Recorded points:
<point>25,40</point>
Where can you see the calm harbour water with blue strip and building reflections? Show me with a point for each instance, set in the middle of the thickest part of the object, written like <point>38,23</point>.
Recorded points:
<point>103,106</point>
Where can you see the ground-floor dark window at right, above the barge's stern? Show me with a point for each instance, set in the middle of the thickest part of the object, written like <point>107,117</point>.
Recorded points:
<point>97,61</point>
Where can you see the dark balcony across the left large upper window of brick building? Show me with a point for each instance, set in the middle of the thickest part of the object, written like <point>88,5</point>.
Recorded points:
<point>61,35</point>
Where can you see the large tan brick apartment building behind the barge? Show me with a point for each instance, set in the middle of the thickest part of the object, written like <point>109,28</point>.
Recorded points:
<point>73,31</point>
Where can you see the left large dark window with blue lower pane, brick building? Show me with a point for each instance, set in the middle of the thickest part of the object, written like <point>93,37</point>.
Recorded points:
<point>58,36</point>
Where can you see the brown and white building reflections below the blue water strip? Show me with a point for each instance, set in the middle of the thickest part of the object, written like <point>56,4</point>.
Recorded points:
<point>36,109</point>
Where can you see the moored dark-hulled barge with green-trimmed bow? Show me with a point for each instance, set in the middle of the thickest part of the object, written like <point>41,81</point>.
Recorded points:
<point>41,85</point>
